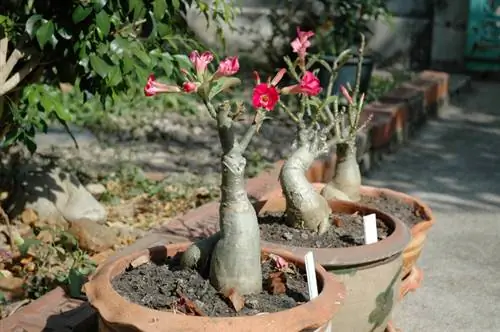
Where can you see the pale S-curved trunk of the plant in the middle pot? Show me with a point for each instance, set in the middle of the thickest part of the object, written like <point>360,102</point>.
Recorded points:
<point>305,208</point>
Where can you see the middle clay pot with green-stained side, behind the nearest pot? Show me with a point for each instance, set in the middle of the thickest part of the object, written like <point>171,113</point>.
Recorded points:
<point>371,273</point>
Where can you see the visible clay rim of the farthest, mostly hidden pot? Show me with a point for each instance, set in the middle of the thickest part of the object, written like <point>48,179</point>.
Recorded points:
<point>420,226</point>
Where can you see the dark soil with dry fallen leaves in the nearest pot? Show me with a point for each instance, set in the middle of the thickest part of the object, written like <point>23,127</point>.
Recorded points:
<point>166,286</point>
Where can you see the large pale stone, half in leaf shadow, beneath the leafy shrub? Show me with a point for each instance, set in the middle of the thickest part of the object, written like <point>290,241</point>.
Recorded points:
<point>54,195</point>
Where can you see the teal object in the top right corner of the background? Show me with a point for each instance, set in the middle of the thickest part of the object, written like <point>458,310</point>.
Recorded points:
<point>482,52</point>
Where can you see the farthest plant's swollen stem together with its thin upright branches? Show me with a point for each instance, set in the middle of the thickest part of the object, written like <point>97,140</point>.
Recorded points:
<point>346,181</point>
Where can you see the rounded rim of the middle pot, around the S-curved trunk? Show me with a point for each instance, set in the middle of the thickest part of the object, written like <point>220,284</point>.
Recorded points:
<point>369,254</point>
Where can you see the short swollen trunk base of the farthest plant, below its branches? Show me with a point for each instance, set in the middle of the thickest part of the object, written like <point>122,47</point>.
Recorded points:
<point>346,183</point>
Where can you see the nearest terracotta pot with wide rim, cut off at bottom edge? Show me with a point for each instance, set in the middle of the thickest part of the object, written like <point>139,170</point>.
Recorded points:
<point>117,314</point>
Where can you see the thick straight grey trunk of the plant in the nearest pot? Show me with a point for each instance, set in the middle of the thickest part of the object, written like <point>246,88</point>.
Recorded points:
<point>233,254</point>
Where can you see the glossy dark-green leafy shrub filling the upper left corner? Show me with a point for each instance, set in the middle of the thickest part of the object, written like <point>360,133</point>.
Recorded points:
<point>104,48</point>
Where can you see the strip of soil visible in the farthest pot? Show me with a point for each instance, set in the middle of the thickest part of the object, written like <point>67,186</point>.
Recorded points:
<point>408,213</point>
